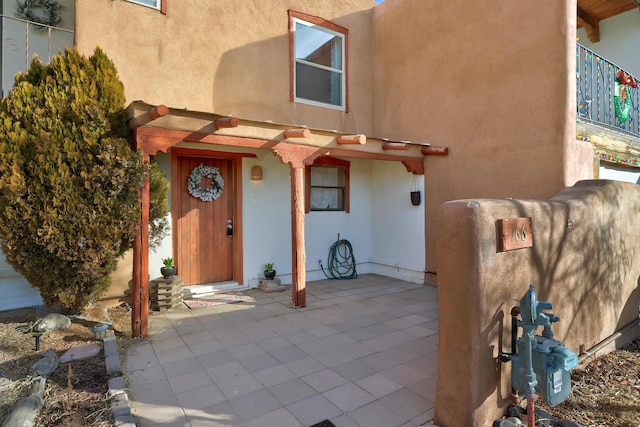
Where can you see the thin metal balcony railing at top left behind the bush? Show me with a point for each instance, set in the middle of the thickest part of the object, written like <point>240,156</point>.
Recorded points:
<point>21,40</point>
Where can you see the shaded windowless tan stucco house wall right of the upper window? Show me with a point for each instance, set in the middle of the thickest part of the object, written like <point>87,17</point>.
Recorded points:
<point>492,80</point>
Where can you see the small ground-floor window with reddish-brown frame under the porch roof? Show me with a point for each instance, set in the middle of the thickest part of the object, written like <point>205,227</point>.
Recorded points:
<point>327,185</point>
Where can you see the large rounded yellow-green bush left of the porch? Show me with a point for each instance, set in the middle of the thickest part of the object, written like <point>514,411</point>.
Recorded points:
<point>69,180</point>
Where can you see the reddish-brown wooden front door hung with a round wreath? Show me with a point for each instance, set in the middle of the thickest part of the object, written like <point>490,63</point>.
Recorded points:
<point>204,250</point>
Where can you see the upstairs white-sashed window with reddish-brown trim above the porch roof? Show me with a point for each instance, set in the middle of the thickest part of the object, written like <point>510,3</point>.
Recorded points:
<point>318,61</point>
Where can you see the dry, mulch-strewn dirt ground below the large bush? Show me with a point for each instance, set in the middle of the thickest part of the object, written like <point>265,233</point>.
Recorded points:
<point>76,392</point>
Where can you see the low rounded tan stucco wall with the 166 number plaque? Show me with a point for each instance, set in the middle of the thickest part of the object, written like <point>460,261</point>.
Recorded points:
<point>587,268</point>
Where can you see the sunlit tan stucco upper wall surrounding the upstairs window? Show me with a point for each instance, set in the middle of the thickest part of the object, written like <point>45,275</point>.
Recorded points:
<point>227,57</point>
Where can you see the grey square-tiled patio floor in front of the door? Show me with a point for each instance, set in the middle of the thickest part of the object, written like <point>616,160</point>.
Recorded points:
<point>362,353</point>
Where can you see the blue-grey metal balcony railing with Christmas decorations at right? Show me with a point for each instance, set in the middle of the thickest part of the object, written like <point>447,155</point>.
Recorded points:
<point>600,98</point>
